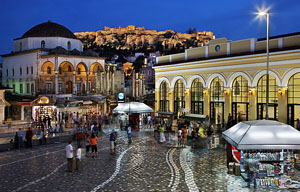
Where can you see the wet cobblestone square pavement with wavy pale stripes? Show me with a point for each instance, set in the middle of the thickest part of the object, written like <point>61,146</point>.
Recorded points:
<point>144,165</point>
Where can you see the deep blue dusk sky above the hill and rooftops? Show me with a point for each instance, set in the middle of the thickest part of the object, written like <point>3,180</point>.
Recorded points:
<point>233,19</point>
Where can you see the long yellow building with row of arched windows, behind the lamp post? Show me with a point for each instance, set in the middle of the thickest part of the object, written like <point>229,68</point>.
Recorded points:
<point>230,77</point>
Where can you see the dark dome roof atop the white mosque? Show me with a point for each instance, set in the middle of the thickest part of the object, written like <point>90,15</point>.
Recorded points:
<point>49,29</point>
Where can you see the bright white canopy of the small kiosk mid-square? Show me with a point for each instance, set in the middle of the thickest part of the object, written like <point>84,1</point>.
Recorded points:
<point>132,107</point>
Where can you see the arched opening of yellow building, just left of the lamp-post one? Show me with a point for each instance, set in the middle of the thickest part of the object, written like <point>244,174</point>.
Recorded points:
<point>240,99</point>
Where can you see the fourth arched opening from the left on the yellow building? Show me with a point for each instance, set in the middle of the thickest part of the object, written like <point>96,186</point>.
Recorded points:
<point>217,101</point>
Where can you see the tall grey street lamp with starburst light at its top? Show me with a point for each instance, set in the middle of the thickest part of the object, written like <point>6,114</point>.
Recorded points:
<point>267,13</point>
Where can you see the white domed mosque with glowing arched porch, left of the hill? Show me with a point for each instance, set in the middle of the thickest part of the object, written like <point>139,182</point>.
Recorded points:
<point>49,61</point>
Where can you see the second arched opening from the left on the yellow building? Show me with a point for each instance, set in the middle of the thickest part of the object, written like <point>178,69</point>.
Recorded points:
<point>179,97</point>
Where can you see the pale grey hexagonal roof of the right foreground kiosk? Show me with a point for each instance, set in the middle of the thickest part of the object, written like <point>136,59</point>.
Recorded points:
<point>262,135</point>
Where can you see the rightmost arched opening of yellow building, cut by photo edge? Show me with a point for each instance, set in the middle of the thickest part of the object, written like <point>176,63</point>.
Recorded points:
<point>294,99</point>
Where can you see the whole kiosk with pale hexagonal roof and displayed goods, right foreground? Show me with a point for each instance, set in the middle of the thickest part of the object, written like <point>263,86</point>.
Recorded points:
<point>267,152</point>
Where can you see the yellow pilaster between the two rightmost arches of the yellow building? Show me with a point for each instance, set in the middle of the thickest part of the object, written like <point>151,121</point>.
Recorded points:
<point>282,105</point>
